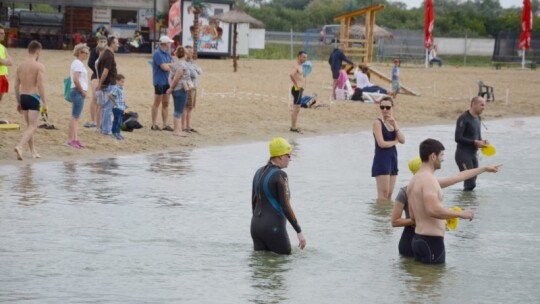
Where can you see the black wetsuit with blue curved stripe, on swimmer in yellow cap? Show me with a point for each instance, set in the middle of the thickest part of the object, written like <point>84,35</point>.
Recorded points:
<point>271,210</point>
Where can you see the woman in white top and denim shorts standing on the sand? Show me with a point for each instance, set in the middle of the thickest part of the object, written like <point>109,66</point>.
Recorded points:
<point>79,89</point>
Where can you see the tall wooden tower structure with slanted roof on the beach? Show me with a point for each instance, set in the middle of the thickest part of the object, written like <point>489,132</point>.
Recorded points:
<point>362,49</point>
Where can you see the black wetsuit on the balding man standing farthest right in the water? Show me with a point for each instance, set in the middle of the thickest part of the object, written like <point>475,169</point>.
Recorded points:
<point>467,131</point>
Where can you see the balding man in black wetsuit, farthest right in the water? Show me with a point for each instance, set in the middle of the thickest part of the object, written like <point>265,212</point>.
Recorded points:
<point>468,137</point>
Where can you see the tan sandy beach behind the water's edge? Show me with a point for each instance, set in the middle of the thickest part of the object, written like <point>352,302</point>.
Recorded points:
<point>253,104</point>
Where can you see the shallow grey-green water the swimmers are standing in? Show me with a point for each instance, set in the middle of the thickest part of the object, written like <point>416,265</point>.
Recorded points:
<point>174,227</point>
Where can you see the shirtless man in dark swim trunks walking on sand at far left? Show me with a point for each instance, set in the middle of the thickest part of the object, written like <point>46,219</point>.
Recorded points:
<point>30,94</point>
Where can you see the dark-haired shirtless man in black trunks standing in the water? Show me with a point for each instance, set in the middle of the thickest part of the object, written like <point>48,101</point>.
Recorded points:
<point>426,206</point>
